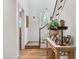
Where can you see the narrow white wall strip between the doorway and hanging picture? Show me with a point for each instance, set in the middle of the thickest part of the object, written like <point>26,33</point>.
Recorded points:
<point>24,32</point>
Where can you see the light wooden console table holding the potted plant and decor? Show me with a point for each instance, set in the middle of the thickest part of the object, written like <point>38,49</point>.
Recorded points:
<point>69,50</point>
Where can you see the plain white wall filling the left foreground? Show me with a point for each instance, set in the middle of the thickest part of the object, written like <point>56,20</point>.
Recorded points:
<point>10,33</point>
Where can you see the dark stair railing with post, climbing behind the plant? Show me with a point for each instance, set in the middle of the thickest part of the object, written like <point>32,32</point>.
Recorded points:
<point>54,15</point>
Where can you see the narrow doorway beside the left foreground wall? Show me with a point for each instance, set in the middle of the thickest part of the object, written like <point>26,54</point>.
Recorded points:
<point>21,28</point>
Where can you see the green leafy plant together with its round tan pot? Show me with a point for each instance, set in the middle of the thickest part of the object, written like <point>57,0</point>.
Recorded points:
<point>53,28</point>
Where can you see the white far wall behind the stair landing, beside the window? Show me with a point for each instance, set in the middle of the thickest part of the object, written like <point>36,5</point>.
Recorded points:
<point>36,7</point>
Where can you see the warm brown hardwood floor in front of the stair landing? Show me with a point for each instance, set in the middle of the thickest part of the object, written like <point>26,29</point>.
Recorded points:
<point>36,54</point>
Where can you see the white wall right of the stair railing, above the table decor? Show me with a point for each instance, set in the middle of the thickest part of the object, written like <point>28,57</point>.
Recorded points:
<point>69,15</point>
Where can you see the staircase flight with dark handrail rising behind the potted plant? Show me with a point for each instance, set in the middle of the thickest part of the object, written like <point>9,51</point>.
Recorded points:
<point>43,31</point>
